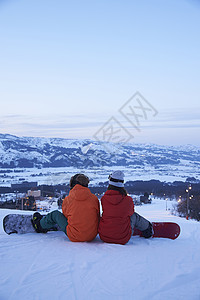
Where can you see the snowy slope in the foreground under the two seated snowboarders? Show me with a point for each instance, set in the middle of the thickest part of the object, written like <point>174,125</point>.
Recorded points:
<point>49,266</point>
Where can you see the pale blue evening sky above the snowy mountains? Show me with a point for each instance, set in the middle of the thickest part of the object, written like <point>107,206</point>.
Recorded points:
<point>66,67</point>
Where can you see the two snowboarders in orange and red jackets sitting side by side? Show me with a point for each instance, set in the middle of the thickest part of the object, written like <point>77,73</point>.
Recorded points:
<point>81,221</point>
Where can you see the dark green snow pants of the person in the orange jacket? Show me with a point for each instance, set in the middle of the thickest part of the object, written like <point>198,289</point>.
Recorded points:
<point>53,218</point>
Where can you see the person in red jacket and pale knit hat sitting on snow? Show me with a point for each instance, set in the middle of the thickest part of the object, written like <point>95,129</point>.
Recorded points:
<point>119,218</point>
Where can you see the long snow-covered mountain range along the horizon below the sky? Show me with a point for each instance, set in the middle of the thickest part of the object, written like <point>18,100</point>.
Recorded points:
<point>29,152</point>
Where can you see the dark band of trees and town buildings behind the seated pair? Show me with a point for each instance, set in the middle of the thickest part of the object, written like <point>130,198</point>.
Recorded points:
<point>34,197</point>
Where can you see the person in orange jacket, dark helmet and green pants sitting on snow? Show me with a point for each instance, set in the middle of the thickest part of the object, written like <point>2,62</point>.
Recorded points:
<point>81,213</point>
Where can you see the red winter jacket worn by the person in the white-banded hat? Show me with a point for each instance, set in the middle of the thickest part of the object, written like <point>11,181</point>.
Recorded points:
<point>114,226</point>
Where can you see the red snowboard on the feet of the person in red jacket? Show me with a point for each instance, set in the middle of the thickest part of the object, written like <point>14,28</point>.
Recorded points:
<point>167,230</point>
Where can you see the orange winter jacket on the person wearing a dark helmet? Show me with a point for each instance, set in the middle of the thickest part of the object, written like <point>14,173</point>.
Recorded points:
<point>81,208</point>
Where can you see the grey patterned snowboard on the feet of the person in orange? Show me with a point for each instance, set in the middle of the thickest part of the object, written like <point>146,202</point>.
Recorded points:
<point>17,223</point>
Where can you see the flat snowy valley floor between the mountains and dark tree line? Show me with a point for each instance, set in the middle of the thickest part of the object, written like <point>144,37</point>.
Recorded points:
<point>62,175</point>
